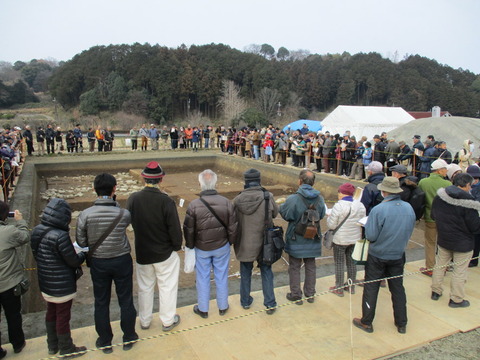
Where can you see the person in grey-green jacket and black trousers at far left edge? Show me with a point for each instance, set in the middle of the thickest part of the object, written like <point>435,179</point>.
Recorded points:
<point>12,237</point>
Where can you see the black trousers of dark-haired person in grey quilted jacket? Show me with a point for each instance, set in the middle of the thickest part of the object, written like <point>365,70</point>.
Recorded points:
<point>104,272</point>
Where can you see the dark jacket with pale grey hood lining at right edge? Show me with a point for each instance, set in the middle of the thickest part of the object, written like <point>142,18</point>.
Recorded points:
<point>456,214</point>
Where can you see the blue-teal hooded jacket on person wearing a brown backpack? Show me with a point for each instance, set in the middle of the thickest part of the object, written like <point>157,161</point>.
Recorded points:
<point>292,210</point>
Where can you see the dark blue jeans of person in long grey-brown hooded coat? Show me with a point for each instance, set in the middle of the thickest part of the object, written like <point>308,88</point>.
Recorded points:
<point>267,284</point>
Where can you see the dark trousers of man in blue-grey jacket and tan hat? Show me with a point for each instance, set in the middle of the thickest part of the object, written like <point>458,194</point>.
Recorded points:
<point>376,269</point>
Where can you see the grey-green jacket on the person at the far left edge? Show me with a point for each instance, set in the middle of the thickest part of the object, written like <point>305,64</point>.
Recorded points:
<point>11,238</point>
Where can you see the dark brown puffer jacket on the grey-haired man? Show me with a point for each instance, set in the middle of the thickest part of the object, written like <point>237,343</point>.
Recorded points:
<point>202,230</point>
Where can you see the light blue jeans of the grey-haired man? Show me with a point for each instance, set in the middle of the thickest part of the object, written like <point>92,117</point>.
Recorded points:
<point>219,259</point>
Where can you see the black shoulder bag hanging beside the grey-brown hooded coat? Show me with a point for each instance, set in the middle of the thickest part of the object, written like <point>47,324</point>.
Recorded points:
<point>273,243</point>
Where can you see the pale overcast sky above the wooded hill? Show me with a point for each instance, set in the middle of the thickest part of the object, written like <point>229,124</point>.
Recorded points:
<point>443,30</point>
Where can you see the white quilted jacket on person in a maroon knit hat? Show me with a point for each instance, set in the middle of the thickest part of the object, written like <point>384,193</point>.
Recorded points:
<point>350,231</point>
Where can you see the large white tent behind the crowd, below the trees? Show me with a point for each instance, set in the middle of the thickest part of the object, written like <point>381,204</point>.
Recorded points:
<point>365,120</point>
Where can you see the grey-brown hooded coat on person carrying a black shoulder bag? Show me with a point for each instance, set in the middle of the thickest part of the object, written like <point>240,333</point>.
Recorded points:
<point>250,208</point>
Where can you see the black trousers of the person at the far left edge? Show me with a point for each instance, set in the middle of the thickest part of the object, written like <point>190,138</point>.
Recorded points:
<point>12,308</point>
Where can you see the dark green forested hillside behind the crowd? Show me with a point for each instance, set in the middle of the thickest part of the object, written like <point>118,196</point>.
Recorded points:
<point>165,84</point>
